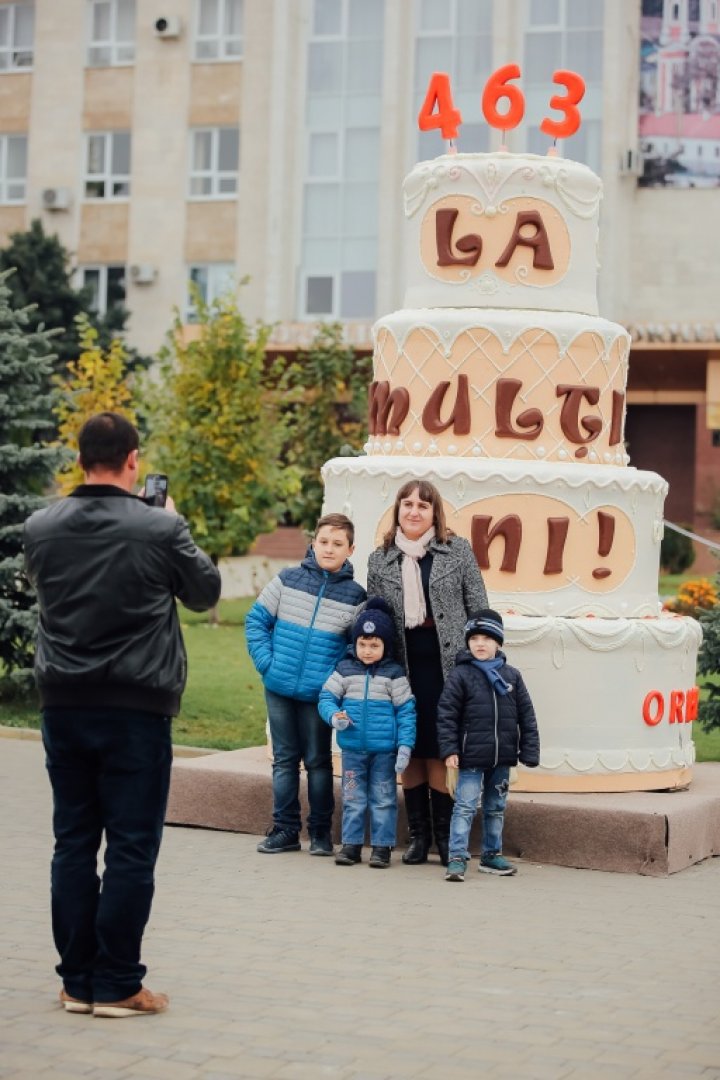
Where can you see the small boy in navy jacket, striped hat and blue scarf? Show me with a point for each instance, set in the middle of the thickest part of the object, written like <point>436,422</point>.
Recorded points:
<point>485,723</point>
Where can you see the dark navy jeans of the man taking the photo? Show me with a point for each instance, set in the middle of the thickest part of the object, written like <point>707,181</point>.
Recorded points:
<point>110,771</point>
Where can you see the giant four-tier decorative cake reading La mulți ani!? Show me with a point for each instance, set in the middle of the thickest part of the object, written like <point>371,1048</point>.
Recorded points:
<point>500,384</point>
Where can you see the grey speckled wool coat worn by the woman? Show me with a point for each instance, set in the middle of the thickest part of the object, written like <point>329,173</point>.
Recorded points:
<point>457,590</point>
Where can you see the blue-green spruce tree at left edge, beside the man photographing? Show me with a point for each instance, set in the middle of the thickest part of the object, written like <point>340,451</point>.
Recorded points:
<point>26,471</point>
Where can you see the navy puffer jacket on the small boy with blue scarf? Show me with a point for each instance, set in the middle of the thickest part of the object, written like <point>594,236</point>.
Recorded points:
<point>483,727</point>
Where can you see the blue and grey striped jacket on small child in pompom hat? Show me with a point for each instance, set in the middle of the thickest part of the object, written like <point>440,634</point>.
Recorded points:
<point>378,700</point>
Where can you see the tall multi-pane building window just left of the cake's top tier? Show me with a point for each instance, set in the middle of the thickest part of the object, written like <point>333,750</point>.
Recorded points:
<point>344,110</point>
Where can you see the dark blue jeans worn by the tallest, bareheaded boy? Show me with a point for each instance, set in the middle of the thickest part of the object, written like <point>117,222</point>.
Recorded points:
<point>298,735</point>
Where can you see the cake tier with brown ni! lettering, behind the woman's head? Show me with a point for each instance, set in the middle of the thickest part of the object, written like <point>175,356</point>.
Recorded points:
<point>562,539</point>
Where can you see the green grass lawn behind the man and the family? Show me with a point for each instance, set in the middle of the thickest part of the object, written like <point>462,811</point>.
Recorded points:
<point>224,705</point>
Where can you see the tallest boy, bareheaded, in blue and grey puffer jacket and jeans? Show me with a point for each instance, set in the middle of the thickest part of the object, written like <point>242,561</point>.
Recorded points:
<point>296,631</point>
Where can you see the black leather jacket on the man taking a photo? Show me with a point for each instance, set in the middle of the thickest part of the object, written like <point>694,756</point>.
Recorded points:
<point>107,570</point>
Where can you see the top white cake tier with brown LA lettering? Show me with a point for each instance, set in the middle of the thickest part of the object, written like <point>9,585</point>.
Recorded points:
<point>502,231</point>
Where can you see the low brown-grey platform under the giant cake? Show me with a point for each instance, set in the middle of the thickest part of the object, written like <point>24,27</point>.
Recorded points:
<point>651,833</point>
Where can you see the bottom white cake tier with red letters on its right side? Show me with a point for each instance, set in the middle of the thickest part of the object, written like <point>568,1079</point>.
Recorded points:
<point>615,700</point>
